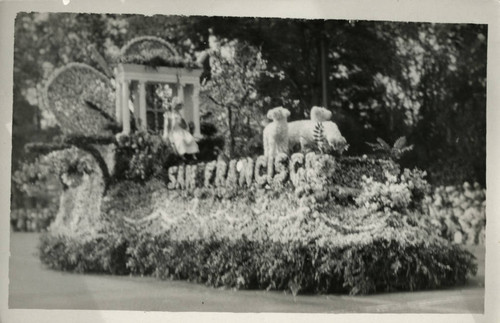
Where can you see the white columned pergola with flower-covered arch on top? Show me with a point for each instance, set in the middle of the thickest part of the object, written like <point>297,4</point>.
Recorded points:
<point>153,60</point>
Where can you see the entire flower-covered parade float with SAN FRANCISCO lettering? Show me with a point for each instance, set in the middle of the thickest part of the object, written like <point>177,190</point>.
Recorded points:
<point>308,222</point>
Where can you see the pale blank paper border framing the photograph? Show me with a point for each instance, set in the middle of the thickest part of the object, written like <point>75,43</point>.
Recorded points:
<point>442,11</point>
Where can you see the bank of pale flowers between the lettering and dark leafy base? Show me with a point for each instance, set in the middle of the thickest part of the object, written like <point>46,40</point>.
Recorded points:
<point>260,215</point>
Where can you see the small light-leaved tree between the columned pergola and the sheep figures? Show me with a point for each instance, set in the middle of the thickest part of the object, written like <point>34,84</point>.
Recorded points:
<point>236,69</point>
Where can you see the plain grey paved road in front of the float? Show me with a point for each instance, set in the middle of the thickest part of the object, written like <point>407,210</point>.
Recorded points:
<point>34,287</point>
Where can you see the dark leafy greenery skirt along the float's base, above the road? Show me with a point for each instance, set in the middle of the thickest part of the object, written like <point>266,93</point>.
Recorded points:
<point>244,264</point>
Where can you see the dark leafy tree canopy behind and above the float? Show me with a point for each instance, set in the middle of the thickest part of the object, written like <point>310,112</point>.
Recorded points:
<point>380,79</point>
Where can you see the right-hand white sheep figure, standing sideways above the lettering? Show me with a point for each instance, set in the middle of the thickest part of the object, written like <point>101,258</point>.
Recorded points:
<point>302,131</point>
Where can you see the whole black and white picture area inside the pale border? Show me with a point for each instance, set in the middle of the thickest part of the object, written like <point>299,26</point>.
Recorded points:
<point>247,164</point>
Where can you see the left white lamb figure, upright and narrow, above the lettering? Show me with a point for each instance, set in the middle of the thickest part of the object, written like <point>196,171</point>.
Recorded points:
<point>275,134</point>
